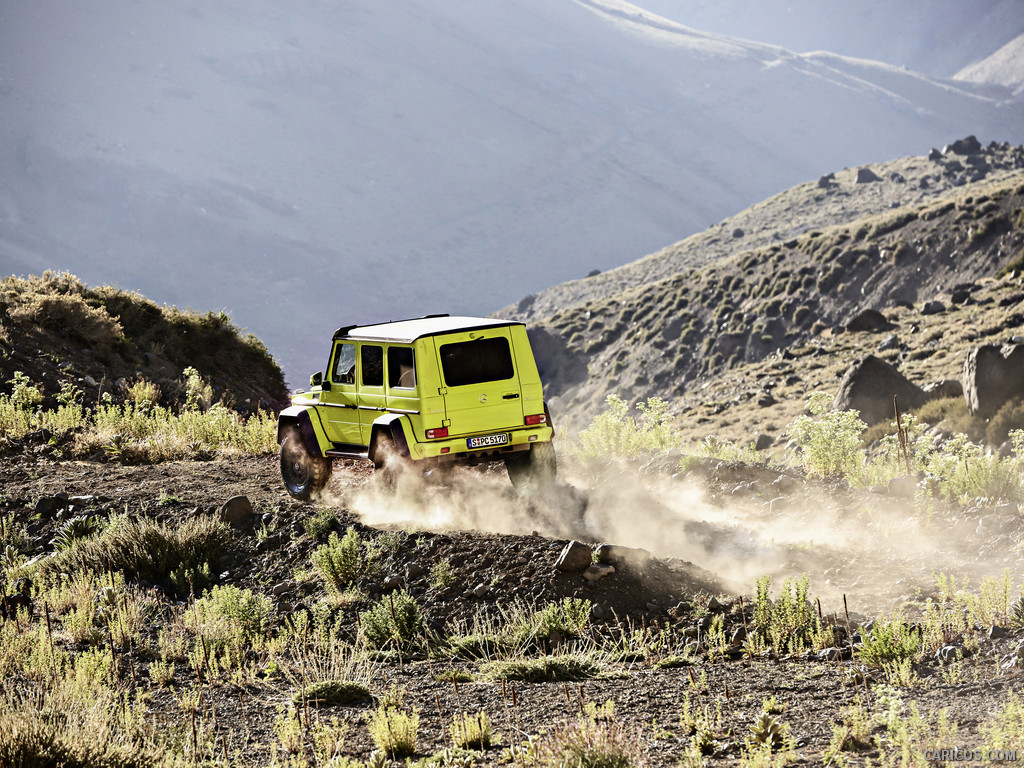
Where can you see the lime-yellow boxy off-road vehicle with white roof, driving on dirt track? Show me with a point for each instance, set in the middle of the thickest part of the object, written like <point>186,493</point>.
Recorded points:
<point>417,395</point>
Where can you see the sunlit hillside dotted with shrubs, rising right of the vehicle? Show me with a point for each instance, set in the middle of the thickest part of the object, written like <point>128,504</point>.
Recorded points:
<point>781,275</point>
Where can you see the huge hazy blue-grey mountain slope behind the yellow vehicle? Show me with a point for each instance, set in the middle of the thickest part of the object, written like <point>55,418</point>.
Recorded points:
<point>303,165</point>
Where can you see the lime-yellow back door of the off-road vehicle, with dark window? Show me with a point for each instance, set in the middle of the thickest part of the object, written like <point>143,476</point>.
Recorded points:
<point>481,385</point>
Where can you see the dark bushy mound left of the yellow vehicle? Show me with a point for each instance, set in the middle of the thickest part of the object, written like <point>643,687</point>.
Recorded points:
<point>57,330</point>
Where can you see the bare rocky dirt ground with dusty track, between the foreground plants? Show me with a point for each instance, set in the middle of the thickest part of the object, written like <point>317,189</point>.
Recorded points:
<point>708,533</point>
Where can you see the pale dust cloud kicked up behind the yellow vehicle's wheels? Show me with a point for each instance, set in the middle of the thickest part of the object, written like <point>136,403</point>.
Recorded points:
<point>874,549</point>
